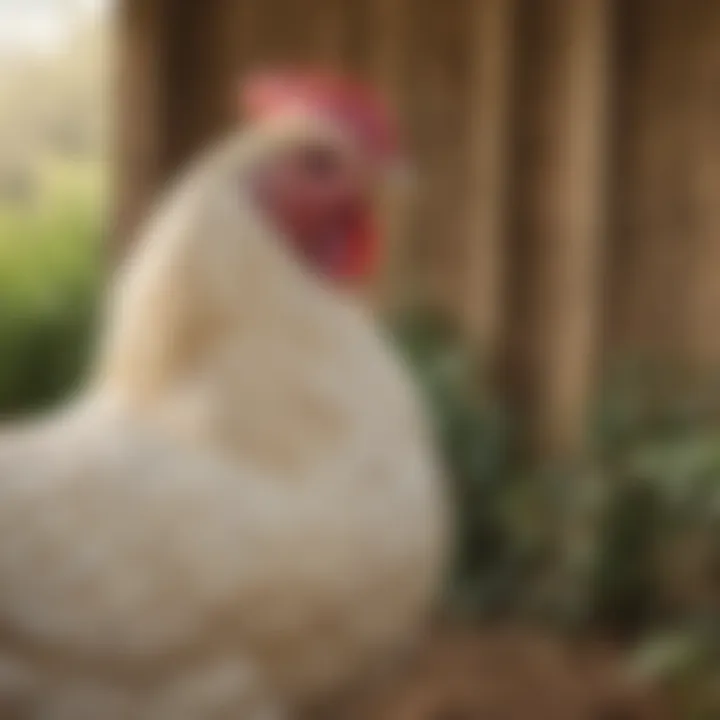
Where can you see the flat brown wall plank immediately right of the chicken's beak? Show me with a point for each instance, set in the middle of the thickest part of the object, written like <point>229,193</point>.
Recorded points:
<point>439,49</point>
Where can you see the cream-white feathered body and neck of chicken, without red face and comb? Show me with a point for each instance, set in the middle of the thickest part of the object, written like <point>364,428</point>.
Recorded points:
<point>243,512</point>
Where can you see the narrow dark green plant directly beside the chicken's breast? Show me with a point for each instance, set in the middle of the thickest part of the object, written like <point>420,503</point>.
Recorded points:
<point>474,435</point>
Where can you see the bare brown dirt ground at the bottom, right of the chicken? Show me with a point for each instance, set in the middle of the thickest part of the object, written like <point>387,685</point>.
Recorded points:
<point>515,674</point>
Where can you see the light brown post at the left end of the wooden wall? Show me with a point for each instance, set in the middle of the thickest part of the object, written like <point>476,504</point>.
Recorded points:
<point>141,131</point>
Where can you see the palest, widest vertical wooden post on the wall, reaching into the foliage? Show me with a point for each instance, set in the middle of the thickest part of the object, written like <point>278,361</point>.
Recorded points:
<point>565,206</point>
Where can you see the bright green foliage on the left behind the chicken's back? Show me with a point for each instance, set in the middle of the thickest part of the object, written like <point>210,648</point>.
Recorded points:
<point>49,273</point>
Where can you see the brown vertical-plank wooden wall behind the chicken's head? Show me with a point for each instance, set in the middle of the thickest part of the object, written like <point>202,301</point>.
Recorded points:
<point>567,208</point>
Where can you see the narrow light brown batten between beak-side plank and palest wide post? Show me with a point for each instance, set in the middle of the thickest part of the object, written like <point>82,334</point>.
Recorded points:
<point>488,157</point>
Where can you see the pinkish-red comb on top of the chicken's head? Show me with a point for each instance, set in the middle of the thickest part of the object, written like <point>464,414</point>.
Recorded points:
<point>350,104</point>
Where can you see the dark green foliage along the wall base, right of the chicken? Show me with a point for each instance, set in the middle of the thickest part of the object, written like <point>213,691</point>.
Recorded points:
<point>626,542</point>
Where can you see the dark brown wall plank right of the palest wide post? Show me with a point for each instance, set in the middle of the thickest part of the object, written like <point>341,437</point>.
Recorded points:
<point>651,185</point>
